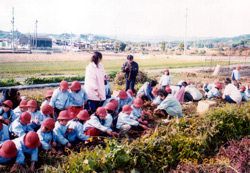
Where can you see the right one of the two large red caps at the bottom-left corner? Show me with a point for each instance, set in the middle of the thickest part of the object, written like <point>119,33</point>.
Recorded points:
<point>31,140</point>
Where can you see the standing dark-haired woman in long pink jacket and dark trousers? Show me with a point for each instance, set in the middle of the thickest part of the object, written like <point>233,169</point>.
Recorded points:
<point>94,82</point>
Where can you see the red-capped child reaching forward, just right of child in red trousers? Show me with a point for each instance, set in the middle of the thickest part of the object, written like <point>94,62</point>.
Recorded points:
<point>125,122</point>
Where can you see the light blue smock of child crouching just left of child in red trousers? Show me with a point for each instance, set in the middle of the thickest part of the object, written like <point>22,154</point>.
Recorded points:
<point>78,132</point>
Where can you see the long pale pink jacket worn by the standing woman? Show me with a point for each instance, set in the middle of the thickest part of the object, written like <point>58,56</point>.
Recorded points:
<point>94,79</point>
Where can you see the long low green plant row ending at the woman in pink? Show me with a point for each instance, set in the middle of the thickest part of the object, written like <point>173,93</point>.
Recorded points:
<point>35,80</point>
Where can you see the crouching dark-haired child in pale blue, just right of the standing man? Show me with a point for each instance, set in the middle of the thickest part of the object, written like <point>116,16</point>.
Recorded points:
<point>145,91</point>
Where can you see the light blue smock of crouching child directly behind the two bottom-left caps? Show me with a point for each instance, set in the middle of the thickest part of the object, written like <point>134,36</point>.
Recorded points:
<point>18,128</point>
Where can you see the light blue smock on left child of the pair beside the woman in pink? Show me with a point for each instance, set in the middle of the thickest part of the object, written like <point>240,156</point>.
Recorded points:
<point>60,99</point>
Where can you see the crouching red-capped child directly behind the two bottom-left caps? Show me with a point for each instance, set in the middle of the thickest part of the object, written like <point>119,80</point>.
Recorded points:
<point>20,126</point>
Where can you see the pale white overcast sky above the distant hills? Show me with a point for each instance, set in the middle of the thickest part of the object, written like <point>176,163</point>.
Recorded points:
<point>128,19</point>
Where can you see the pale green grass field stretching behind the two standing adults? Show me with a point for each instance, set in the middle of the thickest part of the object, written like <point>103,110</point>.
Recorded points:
<point>20,69</point>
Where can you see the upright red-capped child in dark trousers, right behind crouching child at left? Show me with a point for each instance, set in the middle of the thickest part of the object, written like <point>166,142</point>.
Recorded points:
<point>36,116</point>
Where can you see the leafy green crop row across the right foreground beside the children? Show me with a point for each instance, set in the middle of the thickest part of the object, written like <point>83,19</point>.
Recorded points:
<point>191,137</point>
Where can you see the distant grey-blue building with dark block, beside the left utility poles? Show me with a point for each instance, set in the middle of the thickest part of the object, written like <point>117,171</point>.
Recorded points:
<point>42,42</point>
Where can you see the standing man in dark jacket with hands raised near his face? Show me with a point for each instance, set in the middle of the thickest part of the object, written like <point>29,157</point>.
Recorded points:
<point>131,69</point>
